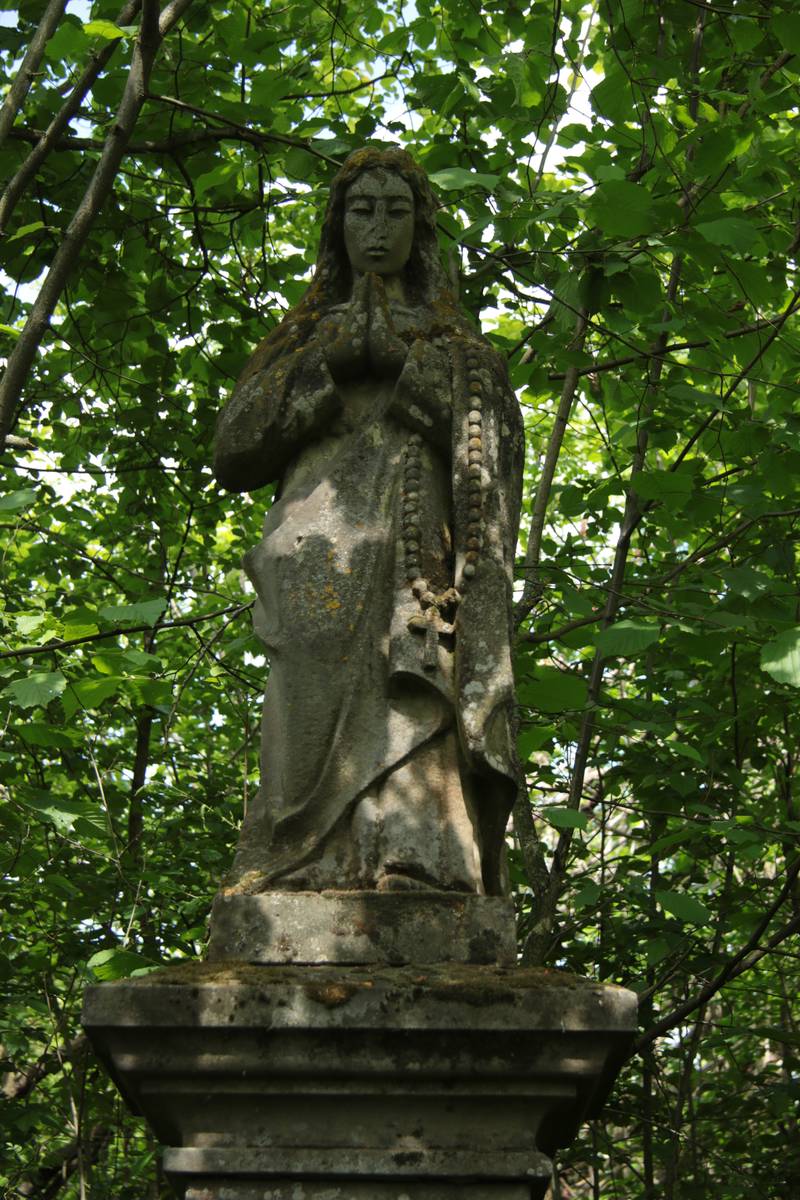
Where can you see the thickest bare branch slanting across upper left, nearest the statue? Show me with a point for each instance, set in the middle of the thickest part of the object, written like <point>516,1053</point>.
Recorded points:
<point>67,256</point>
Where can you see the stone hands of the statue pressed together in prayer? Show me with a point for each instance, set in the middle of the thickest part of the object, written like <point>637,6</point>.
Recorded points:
<point>366,343</point>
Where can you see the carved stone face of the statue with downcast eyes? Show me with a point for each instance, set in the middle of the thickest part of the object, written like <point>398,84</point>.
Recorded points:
<point>378,223</point>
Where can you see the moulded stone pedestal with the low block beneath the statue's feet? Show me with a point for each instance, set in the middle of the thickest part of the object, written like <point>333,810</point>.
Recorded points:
<point>449,1081</point>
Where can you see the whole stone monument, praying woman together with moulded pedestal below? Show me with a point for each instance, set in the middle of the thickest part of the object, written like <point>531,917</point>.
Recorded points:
<point>360,1027</point>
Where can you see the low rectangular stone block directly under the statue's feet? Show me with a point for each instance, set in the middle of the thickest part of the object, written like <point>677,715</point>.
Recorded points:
<point>363,927</point>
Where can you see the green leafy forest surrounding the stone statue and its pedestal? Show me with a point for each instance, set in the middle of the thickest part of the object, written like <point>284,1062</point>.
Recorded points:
<point>618,185</point>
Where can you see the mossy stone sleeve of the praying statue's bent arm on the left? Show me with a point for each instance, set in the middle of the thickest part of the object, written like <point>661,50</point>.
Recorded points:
<point>273,413</point>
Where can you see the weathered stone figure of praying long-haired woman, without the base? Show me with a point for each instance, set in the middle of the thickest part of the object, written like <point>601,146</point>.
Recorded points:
<point>384,573</point>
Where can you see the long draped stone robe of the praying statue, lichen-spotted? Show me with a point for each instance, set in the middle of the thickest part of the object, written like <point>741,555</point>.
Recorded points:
<point>350,706</point>
